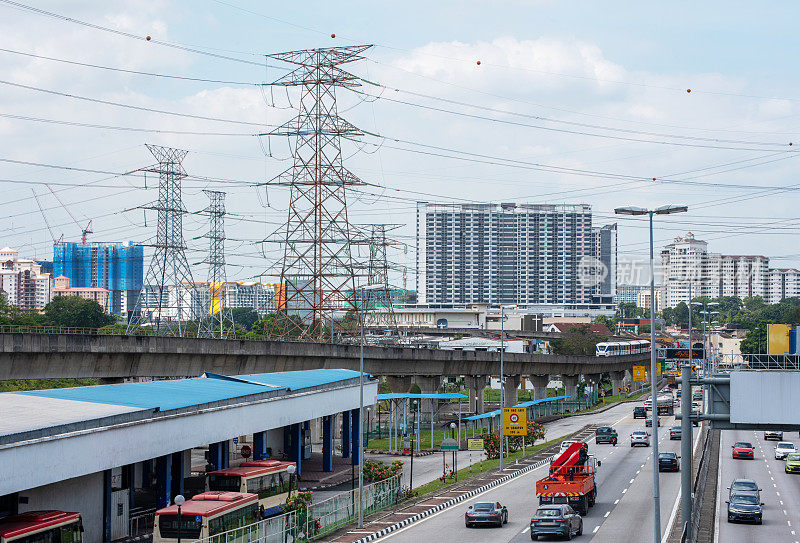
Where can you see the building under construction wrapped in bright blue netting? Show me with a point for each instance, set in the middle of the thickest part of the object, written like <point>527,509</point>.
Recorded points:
<point>116,267</point>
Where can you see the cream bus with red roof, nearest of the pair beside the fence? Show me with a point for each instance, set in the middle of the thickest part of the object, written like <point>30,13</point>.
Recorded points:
<point>205,515</point>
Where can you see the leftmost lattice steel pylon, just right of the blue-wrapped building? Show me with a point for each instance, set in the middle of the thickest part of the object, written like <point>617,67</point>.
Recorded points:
<point>169,298</point>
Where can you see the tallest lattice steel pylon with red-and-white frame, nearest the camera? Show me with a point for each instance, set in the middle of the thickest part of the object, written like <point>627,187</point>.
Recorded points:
<point>317,275</point>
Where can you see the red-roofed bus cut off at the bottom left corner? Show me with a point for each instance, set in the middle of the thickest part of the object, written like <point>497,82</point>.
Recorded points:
<point>42,526</point>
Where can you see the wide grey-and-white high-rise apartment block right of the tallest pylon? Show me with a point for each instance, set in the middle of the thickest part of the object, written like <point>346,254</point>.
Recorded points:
<point>510,253</point>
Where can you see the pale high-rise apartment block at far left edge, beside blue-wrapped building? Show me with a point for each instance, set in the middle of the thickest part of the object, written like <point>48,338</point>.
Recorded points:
<point>22,281</point>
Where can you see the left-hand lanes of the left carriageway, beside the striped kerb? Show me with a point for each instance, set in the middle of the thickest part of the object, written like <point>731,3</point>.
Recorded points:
<point>519,496</point>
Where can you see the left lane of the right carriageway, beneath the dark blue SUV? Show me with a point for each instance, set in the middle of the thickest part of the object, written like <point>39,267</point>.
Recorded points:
<point>774,527</point>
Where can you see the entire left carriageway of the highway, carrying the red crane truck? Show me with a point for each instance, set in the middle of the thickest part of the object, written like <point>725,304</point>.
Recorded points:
<point>624,500</point>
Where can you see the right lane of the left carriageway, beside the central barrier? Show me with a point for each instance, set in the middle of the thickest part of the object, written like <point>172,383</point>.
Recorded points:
<point>633,514</point>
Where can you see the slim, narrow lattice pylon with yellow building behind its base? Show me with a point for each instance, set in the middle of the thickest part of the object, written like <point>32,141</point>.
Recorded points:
<point>218,319</point>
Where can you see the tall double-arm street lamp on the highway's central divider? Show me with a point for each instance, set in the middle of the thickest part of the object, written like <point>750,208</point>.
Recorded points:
<point>663,210</point>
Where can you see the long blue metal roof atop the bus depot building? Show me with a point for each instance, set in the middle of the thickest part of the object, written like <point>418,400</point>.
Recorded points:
<point>175,394</point>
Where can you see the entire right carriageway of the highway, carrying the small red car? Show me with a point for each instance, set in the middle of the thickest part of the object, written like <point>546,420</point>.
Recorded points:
<point>780,491</point>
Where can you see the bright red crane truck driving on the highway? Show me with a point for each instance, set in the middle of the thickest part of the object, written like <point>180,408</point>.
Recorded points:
<point>570,479</point>
